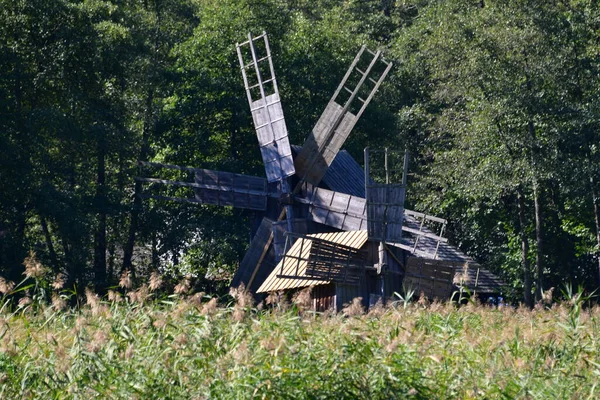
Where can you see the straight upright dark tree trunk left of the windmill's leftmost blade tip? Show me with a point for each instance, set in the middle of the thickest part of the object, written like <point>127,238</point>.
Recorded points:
<point>100,234</point>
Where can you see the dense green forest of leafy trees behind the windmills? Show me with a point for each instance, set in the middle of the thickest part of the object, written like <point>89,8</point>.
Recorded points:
<point>497,101</point>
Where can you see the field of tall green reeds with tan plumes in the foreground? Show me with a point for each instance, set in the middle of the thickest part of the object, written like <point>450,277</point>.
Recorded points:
<point>192,347</point>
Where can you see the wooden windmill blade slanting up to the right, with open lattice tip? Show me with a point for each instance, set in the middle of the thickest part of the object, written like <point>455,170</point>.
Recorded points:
<point>341,114</point>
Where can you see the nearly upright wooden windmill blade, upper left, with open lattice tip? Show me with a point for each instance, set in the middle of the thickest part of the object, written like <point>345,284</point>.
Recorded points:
<point>265,105</point>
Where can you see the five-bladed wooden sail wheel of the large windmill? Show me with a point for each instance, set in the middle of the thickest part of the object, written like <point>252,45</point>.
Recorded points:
<point>289,197</point>
